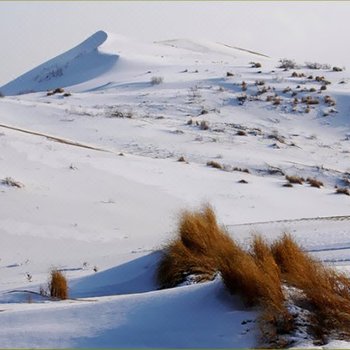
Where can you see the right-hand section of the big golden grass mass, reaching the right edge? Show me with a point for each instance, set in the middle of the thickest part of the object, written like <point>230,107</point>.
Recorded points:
<point>327,292</point>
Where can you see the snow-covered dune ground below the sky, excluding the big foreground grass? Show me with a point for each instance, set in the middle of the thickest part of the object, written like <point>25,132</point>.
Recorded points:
<point>103,146</point>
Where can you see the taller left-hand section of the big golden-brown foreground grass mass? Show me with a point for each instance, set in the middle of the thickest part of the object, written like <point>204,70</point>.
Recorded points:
<point>202,248</point>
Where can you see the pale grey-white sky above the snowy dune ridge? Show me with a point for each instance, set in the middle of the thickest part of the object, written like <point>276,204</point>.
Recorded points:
<point>33,32</point>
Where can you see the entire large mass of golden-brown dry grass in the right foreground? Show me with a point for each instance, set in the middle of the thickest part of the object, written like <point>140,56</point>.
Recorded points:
<point>202,248</point>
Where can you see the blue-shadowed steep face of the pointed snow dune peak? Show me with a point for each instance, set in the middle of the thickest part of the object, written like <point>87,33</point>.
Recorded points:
<point>80,64</point>
